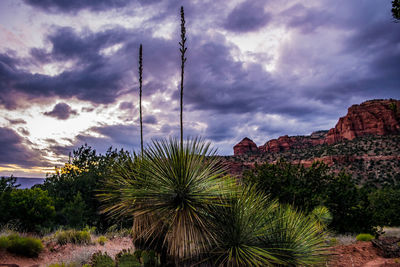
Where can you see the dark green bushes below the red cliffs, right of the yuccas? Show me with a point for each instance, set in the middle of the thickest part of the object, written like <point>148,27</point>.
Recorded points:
<point>308,188</point>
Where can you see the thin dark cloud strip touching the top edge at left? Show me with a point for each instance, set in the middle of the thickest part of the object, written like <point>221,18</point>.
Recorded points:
<point>71,6</point>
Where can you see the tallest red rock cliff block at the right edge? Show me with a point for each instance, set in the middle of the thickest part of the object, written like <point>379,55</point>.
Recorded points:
<point>375,117</point>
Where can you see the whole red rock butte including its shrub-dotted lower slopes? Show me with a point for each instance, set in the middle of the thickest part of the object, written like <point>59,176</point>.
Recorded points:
<point>364,143</point>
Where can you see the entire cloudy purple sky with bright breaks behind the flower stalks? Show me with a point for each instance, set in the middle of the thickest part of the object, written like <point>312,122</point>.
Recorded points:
<point>256,68</point>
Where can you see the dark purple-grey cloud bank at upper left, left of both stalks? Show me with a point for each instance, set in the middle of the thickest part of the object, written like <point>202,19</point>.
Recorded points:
<point>95,78</point>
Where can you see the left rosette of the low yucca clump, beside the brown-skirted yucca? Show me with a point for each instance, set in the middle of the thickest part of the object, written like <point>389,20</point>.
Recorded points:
<point>237,226</point>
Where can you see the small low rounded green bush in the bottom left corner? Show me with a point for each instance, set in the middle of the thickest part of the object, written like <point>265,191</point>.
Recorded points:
<point>24,246</point>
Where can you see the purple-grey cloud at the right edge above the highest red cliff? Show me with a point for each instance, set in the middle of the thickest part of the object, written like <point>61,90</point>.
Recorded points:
<point>378,75</point>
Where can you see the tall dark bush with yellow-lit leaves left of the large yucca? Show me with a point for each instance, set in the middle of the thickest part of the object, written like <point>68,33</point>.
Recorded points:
<point>74,186</point>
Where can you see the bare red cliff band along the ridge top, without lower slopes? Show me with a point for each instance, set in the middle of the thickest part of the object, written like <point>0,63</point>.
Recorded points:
<point>373,117</point>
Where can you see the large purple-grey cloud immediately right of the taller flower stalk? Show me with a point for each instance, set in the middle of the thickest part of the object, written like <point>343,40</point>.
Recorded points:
<point>218,82</point>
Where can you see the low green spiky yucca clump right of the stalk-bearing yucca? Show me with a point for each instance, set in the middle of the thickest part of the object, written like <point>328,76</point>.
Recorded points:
<point>251,230</point>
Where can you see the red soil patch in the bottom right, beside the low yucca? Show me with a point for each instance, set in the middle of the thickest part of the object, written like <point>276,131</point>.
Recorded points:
<point>360,254</point>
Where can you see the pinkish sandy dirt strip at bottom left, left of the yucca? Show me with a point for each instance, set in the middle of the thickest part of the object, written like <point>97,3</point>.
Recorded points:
<point>67,253</point>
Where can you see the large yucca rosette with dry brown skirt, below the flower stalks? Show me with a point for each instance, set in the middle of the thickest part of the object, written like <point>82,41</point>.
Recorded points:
<point>170,195</point>
